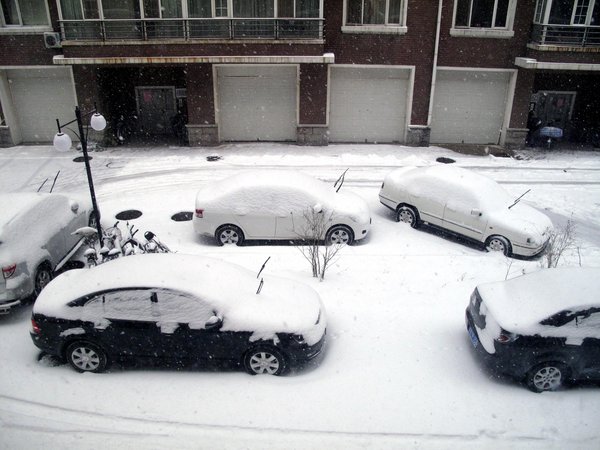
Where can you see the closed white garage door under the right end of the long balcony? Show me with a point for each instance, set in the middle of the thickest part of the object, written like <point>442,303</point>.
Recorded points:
<point>257,103</point>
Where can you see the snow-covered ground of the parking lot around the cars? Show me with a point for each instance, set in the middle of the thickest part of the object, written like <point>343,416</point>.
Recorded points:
<point>398,371</point>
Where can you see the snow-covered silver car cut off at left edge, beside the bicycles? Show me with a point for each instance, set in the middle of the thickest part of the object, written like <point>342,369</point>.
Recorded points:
<point>35,240</point>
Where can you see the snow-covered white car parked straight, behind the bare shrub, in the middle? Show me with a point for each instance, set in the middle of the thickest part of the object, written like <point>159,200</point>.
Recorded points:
<point>279,205</point>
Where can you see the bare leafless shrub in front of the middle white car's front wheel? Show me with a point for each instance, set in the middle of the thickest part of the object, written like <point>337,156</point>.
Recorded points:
<point>311,236</point>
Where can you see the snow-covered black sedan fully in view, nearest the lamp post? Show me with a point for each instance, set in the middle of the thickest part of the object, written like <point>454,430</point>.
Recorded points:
<point>180,308</point>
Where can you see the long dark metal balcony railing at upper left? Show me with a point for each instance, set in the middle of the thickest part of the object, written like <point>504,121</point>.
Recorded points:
<point>187,29</point>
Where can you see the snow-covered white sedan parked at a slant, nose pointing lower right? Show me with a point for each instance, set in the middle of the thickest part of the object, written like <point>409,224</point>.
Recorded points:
<point>466,203</point>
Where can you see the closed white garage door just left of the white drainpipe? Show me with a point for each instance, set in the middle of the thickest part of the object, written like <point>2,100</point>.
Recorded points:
<point>368,104</point>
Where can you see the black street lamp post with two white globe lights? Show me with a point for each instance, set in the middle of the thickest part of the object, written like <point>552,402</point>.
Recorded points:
<point>62,142</point>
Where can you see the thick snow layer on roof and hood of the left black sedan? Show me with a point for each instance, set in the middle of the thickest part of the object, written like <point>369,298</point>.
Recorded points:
<point>283,305</point>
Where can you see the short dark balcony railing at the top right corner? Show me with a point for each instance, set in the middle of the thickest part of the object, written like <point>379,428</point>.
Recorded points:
<point>567,35</point>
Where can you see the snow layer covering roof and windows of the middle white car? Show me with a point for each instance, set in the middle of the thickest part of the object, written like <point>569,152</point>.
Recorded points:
<point>262,192</point>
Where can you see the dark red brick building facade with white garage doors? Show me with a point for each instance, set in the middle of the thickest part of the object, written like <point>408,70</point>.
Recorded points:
<point>414,72</point>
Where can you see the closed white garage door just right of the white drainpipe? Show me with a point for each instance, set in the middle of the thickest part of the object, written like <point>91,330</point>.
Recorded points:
<point>469,107</point>
